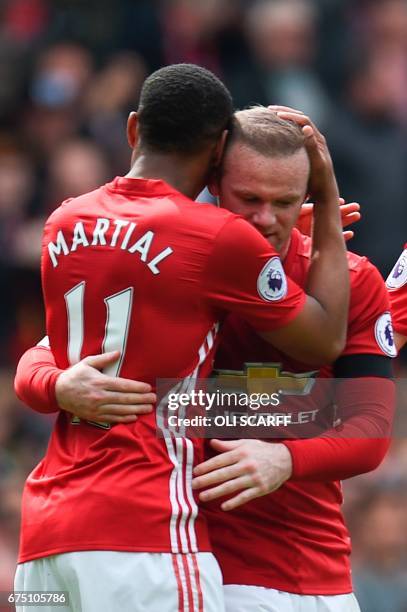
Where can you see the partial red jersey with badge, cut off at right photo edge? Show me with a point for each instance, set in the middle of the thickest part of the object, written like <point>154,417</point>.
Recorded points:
<point>397,286</point>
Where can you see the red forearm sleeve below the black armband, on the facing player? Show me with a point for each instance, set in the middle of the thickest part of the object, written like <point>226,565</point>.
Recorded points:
<point>356,447</point>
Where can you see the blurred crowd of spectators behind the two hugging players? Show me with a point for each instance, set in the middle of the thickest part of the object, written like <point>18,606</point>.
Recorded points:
<point>70,71</point>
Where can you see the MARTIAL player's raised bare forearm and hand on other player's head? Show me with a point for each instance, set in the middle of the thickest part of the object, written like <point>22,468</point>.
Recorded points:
<point>325,315</point>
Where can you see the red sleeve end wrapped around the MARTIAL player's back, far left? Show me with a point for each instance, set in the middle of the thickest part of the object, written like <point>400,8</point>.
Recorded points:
<point>35,379</point>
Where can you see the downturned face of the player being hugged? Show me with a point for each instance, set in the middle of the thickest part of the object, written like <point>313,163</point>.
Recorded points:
<point>266,191</point>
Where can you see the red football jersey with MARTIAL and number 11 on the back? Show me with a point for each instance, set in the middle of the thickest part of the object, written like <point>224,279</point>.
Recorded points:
<point>135,266</point>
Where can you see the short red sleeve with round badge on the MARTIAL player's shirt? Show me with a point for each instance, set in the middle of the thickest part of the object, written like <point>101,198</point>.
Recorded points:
<point>245,275</point>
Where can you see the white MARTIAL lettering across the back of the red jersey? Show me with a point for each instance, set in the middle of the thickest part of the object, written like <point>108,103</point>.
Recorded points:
<point>121,238</point>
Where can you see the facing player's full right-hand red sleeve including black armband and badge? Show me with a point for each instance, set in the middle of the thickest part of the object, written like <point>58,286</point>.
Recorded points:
<point>365,393</point>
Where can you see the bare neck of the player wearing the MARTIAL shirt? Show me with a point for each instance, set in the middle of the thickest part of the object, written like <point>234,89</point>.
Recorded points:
<point>185,176</point>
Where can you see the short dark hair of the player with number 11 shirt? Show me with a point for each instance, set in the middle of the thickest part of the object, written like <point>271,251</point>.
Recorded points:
<point>183,108</point>
